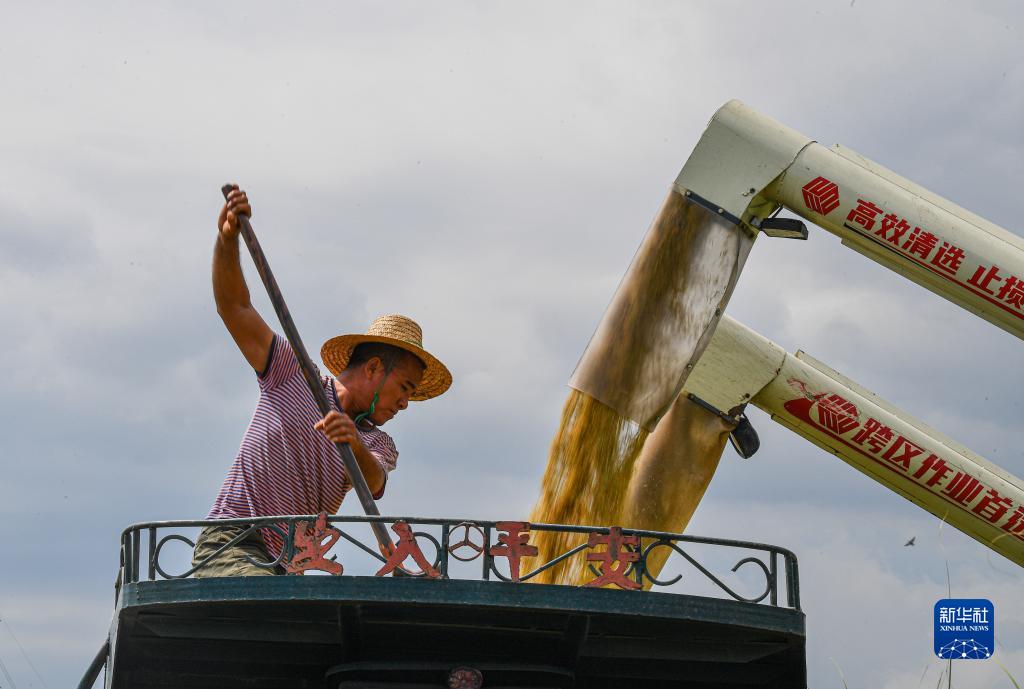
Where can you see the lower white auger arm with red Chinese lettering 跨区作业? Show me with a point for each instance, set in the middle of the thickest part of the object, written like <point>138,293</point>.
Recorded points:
<point>828,409</point>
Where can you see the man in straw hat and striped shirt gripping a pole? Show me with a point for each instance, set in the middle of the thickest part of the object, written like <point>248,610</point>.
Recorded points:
<point>287,463</point>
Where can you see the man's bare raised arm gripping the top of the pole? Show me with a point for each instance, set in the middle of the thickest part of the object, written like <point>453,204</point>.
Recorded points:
<point>251,333</point>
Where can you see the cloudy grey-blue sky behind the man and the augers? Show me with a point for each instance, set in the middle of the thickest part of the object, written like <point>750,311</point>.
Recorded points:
<point>489,169</point>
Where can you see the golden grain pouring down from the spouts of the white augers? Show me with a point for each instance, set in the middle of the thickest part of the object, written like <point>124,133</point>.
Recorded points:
<point>630,451</point>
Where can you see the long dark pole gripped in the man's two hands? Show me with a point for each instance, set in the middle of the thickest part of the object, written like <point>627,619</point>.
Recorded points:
<point>310,374</point>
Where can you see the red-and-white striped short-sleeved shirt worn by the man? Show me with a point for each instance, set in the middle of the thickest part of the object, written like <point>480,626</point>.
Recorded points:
<point>284,465</point>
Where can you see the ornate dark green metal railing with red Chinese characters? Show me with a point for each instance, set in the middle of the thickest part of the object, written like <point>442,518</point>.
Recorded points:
<point>621,555</point>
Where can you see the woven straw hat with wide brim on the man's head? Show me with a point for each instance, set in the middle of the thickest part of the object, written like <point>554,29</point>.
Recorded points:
<point>401,332</point>
